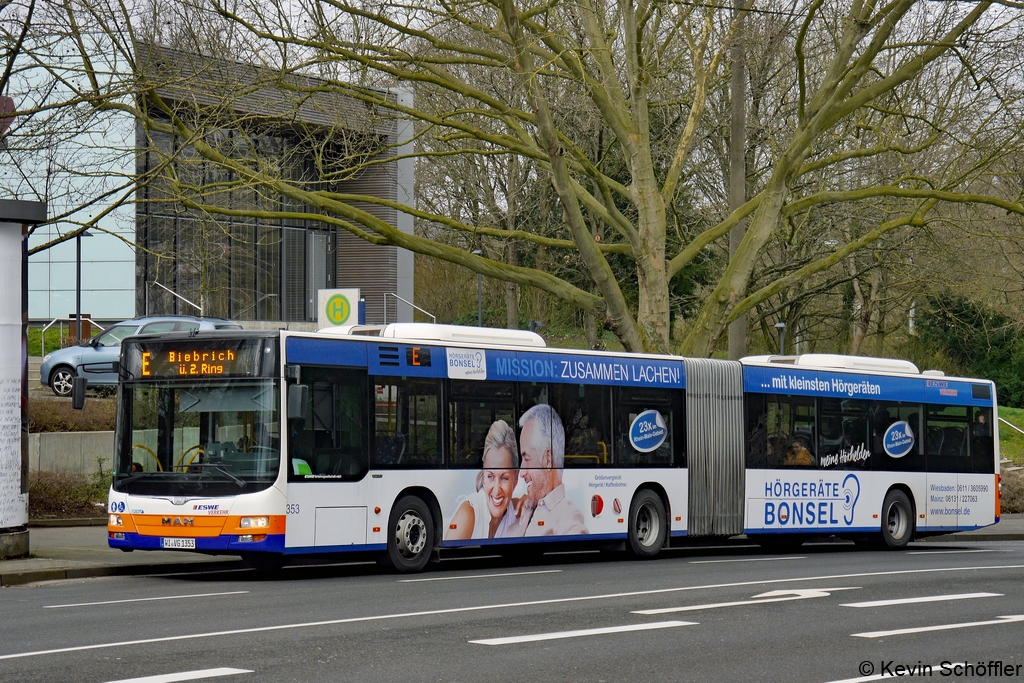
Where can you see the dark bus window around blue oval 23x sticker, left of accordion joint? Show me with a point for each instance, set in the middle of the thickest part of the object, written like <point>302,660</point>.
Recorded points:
<point>630,404</point>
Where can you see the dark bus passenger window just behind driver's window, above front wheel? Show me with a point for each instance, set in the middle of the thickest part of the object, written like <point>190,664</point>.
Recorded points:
<point>407,423</point>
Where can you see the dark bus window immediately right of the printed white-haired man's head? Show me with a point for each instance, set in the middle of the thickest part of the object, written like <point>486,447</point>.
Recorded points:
<point>585,412</point>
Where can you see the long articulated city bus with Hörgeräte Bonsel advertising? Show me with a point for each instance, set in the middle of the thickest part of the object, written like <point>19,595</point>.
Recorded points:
<point>410,440</point>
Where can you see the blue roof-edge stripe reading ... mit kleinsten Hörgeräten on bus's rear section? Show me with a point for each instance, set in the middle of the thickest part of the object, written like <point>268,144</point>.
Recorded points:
<point>848,386</point>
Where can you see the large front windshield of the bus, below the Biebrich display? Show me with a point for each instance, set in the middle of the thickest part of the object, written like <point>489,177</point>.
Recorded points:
<point>208,439</point>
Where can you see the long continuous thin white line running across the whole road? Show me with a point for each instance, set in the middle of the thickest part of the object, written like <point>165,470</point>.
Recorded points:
<point>529,604</point>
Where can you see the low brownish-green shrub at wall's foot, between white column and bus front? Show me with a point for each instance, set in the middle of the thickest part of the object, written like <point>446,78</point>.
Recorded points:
<point>57,495</point>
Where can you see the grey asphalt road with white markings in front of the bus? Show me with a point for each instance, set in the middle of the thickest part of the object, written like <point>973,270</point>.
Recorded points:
<point>733,614</point>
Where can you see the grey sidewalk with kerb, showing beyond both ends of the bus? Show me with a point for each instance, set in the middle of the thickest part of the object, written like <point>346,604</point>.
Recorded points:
<point>79,552</point>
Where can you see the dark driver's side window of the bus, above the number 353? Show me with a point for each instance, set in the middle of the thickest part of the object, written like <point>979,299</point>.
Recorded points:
<point>331,443</point>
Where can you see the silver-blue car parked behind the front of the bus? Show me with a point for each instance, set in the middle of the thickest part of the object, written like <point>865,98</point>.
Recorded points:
<point>96,359</point>
